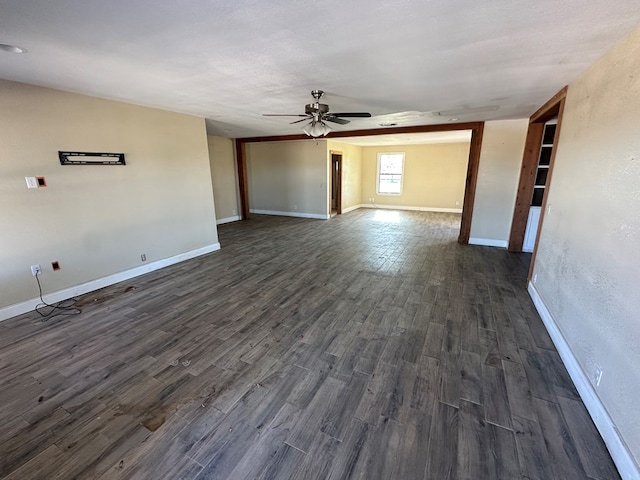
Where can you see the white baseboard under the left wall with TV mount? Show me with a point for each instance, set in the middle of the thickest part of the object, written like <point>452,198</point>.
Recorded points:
<point>24,307</point>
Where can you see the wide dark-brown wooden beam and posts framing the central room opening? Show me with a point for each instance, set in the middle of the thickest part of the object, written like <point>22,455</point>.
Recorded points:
<point>477,130</point>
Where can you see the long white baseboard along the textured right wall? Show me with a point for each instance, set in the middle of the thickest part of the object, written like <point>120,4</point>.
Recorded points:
<point>621,455</point>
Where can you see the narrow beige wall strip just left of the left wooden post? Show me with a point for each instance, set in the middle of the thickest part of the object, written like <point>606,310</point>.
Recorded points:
<point>224,178</point>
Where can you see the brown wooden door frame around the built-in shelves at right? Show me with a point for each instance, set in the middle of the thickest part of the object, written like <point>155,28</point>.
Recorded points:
<point>553,108</point>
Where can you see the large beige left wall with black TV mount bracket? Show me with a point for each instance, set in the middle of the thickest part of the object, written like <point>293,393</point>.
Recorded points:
<point>96,220</point>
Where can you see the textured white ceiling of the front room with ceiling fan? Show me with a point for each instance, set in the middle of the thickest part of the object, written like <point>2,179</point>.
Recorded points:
<point>231,61</point>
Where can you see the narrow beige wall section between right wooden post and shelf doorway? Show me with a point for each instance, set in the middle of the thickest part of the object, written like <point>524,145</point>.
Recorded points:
<point>498,175</point>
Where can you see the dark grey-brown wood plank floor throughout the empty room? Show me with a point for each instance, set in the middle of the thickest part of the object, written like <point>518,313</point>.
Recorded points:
<point>368,346</point>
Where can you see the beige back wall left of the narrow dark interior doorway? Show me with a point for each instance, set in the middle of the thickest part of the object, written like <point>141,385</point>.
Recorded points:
<point>288,177</point>
